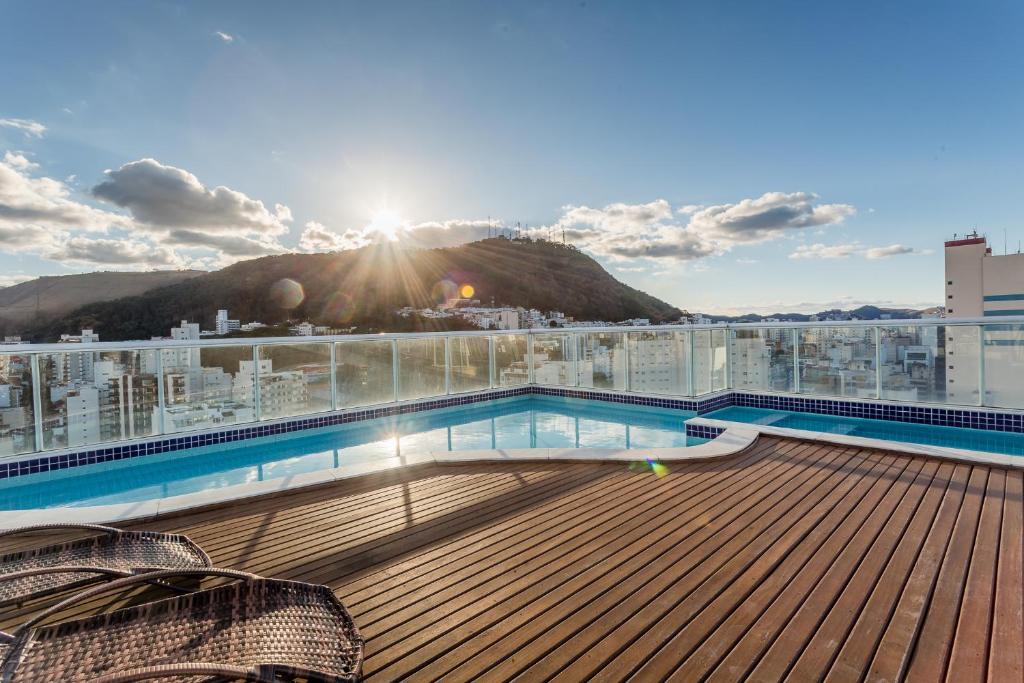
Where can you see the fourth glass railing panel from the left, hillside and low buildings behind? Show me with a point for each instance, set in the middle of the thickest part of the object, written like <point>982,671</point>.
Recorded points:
<point>294,379</point>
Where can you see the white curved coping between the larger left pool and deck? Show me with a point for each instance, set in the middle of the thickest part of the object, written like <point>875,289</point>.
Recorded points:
<point>735,440</point>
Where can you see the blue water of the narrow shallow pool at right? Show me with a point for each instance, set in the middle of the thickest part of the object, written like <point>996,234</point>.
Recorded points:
<point>954,438</point>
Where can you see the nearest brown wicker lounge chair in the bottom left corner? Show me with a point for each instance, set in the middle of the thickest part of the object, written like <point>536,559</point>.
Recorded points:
<point>251,629</point>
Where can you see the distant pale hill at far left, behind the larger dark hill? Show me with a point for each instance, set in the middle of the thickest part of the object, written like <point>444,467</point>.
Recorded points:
<point>52,296</point>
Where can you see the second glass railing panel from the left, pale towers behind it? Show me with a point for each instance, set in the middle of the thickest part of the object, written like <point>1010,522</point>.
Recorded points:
<point>97,397</point>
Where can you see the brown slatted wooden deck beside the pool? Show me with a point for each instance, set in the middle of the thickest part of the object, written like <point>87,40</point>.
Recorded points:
<point>792,562</point>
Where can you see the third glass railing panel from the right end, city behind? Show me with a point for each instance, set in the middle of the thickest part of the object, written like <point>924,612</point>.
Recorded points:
<point>838,362</point>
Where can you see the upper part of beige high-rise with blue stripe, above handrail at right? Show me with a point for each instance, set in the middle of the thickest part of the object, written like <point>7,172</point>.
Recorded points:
<point>980,284</point>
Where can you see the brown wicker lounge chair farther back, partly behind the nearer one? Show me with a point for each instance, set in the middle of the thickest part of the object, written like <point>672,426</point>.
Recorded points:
<point>40,572</point>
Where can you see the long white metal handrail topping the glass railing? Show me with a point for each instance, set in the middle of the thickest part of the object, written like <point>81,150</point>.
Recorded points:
<point>20,350</point>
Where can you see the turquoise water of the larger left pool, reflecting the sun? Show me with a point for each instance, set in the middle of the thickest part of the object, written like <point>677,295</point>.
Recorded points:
<point>525,422</point>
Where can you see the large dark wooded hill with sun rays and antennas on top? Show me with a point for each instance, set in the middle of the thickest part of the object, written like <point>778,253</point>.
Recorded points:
<point>365,287</point>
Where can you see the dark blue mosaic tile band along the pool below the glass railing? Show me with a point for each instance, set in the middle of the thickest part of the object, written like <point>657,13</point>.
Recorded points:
<point>948,417</point>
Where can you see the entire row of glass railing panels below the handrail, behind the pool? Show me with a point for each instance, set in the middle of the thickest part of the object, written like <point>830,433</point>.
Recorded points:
<point>66,397</point>
